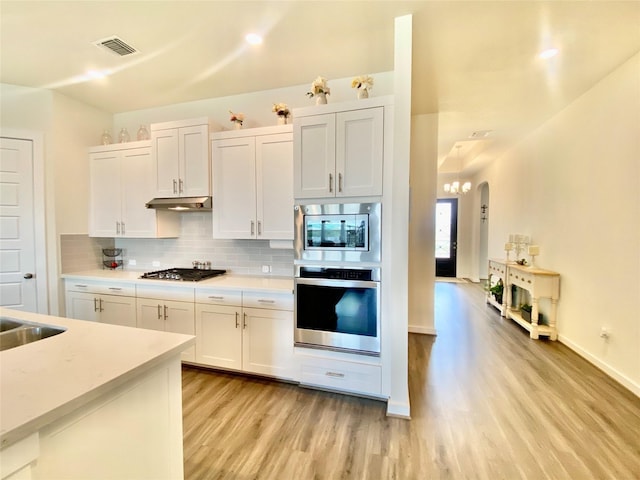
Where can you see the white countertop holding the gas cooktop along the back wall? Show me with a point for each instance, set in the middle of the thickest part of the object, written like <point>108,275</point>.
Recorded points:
<point>226,282</point>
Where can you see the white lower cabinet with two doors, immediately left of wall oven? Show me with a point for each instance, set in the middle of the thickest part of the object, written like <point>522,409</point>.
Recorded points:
<point>244,338</point>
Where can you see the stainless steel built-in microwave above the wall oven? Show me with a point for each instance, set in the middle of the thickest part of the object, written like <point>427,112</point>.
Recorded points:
<point>345,232</point>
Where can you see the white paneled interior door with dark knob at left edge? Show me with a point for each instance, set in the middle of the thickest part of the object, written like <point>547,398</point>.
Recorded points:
<point>17,237</point>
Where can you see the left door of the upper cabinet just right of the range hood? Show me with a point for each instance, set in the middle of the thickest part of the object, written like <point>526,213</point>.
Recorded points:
<point>234,188</point>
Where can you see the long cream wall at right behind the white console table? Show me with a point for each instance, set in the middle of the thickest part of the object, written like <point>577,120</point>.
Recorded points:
<point>574,186</point>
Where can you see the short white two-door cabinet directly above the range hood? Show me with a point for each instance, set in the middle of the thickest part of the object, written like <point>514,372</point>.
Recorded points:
<point>180,153</point>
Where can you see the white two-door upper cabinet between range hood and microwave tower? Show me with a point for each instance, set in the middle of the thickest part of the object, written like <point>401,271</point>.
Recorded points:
<point>253,184</point>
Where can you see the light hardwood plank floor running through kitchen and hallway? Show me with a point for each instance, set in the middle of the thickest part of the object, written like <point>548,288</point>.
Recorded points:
<point>486,403</point>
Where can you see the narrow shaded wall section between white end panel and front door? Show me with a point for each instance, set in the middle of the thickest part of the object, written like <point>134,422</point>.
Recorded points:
<point>424,159</point>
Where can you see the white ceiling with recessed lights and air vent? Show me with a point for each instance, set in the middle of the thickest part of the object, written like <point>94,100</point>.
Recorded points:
<point>475,62</point>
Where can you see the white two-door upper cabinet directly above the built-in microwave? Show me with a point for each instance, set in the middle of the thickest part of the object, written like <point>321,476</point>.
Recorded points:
<point>338,154</point>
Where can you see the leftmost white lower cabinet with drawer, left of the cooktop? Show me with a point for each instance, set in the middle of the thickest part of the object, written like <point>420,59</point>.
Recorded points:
<point>87,301</point>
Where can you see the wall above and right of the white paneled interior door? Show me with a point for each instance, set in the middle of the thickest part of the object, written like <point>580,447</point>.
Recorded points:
<point>68,128</point>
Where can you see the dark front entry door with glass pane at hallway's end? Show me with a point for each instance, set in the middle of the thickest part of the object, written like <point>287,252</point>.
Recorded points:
<point>446,237</point>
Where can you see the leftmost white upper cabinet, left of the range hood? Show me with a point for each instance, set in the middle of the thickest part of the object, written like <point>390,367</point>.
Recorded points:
<point>121,182</point>
